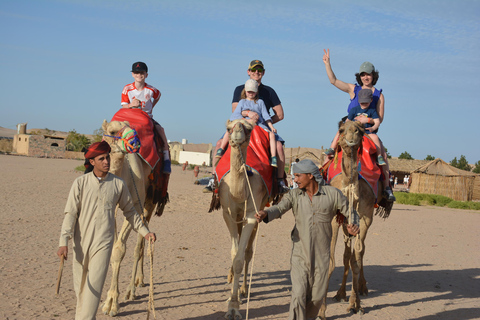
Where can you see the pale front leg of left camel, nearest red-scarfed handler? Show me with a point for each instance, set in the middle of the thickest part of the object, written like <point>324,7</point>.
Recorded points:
<point>110,307</point>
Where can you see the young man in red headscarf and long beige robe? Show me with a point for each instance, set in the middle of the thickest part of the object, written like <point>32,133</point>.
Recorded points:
<point>90,221</point>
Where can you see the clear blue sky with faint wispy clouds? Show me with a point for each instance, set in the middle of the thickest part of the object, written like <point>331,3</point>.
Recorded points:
<point>64,64</point>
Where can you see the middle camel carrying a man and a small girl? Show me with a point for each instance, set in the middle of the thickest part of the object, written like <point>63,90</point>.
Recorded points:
<point>239,210</point>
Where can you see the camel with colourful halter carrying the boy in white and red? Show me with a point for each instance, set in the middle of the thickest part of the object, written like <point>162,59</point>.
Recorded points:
<point>134,171</point>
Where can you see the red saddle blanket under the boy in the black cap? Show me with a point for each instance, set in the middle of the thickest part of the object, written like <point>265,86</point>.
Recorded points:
<point>143,125</point>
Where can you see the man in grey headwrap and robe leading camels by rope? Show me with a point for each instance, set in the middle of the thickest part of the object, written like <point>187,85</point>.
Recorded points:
<point>314,205</point>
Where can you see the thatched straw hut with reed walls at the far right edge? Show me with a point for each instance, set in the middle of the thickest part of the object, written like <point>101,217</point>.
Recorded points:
<point>438,177</point>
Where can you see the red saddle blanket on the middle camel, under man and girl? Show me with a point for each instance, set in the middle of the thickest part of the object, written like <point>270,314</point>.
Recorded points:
<point>258,158</point>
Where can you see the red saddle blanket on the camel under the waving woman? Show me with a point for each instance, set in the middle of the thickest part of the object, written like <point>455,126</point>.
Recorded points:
<point>367,166</point>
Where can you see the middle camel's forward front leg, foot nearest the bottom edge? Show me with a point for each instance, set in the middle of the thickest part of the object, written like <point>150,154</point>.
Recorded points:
<point>233,312</point>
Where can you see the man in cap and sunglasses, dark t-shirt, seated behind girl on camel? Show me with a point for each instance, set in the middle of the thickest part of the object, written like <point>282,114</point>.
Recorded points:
<point>256,71</point>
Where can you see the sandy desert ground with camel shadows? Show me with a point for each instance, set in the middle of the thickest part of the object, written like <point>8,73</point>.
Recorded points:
<point>421,263</point>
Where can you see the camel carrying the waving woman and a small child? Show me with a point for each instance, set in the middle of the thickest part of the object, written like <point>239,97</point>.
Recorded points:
<point>362,199</point>
